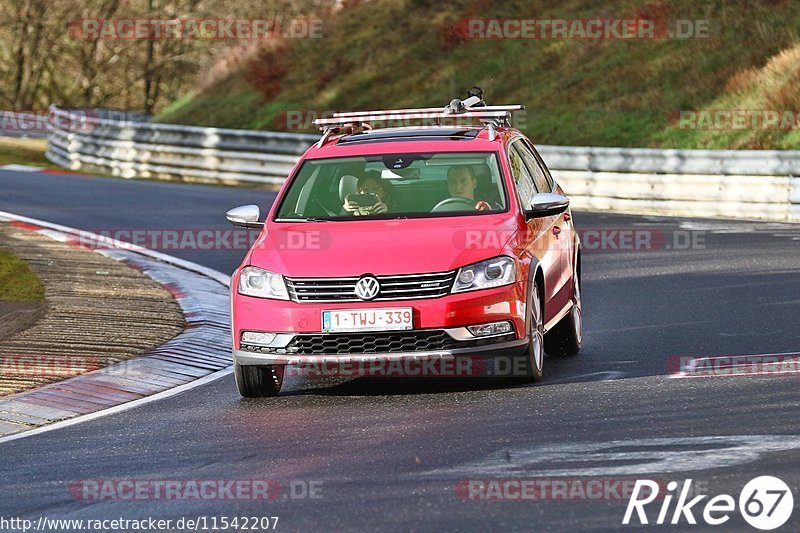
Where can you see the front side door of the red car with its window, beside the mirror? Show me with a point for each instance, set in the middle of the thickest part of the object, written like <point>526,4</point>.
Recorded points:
<point>541,240</point>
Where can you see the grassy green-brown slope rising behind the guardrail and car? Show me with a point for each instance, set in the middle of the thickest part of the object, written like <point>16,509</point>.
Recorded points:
<point>393,53</point>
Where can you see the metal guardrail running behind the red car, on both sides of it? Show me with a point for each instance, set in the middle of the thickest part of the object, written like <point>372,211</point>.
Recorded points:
<point>760,184</point>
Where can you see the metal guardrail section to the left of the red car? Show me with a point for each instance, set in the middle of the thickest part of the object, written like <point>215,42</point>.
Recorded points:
<point>144,149</point>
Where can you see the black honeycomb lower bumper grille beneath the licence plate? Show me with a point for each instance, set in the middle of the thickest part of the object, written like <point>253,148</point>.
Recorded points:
<point>385,342</point>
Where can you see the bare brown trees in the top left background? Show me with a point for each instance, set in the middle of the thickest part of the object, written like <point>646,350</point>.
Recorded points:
<point>42,61</point>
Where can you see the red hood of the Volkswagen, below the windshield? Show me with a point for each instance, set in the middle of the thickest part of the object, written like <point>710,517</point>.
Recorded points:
<point>380,247</point>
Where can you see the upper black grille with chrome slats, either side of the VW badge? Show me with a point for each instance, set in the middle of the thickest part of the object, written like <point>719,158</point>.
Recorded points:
<point>405,287</point>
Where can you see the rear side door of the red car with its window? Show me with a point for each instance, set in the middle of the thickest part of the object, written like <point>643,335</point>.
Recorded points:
<point>562,229</point>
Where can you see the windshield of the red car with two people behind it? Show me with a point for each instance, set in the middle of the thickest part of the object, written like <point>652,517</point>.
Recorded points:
<point>395,186</point>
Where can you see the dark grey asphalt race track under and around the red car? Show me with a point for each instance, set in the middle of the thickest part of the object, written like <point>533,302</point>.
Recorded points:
<point>389,453</point>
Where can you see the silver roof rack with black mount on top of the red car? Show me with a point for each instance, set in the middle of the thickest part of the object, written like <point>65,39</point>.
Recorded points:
<point>473,107</point>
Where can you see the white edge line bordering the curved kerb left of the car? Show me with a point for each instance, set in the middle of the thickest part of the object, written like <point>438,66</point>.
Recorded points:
<point>188,265</point>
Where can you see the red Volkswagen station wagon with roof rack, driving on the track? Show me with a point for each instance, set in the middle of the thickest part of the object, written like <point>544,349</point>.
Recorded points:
<point>409,244</point>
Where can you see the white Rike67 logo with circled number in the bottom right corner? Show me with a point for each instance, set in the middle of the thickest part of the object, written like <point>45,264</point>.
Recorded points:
<point>765,503</point>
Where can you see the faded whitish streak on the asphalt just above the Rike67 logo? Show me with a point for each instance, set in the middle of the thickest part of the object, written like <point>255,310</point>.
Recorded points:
<point>624,457</point>
